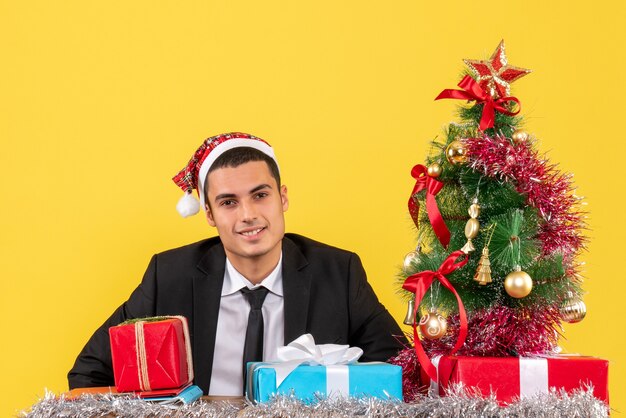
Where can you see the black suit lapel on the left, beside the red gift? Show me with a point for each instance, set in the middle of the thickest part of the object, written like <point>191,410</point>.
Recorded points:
<point>207,291</point>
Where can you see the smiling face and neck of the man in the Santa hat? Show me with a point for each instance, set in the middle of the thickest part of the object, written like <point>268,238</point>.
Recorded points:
<point>247,208</point>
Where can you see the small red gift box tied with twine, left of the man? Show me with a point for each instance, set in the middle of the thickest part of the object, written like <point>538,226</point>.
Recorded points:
<point>151,354</point>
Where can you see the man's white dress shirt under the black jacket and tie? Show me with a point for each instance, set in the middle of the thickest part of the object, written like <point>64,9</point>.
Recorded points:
<point>227,374</point>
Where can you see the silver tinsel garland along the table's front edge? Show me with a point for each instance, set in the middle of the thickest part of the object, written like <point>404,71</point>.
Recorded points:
<point>460,402</point>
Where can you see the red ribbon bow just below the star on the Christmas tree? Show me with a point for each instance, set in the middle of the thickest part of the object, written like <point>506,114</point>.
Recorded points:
<point>473,91</point>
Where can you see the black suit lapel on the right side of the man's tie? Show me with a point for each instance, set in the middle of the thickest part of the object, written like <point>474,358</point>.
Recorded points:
<point>296,288</point>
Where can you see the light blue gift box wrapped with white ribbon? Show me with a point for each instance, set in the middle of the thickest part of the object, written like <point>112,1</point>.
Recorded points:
<point>308,383</point>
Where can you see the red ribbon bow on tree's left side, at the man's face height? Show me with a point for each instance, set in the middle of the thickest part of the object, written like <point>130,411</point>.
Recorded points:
<point>432,186</point>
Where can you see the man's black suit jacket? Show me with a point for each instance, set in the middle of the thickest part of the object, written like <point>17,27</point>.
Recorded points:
<point>325,293</point>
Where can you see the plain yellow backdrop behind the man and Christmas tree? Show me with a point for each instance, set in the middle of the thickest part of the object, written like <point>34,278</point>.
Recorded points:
<point>102,102</point>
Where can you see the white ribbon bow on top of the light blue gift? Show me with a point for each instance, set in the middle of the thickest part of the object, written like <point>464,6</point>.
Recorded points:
<point>303,350</point>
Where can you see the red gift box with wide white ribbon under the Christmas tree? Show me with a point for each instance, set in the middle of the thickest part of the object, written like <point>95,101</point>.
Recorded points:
<point>511,378</point>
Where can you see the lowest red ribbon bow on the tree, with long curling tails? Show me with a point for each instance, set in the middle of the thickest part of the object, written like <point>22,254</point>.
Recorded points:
<point>419,283</point>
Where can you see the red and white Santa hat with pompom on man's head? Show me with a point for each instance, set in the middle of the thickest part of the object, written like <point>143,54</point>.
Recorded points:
<point>194,174</point>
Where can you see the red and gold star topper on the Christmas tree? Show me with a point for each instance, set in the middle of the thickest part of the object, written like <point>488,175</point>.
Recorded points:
<point>495,75</point>
